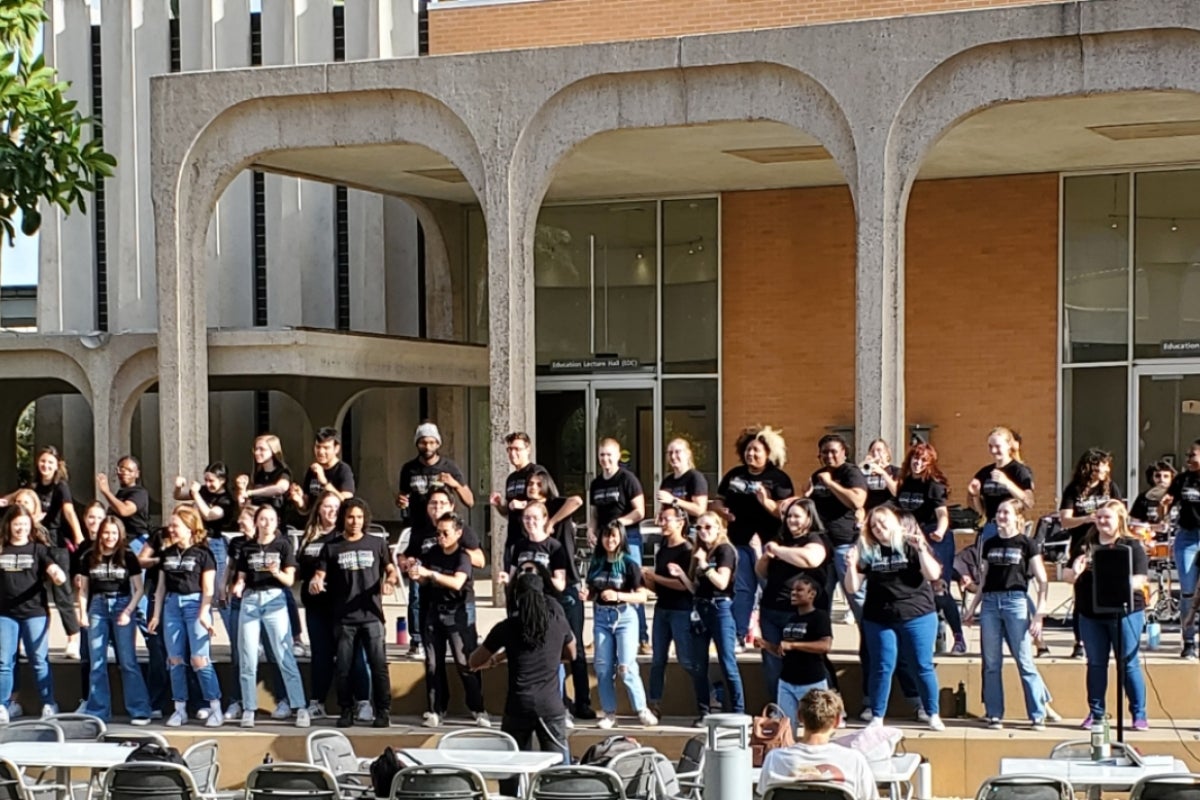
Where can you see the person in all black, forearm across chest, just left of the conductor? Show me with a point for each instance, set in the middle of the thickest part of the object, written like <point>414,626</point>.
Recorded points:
<point>447,576</point>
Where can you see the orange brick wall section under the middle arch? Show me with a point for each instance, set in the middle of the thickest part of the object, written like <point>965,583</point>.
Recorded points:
<point>788,315</point>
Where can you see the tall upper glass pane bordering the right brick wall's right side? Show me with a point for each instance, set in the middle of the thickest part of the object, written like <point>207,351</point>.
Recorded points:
<point>1095,269</point>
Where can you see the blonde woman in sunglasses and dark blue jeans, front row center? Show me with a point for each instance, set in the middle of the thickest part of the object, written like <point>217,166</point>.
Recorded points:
<point>710,579</point>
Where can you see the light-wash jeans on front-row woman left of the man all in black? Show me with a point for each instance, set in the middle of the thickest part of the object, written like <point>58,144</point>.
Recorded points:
<point>266,612</point>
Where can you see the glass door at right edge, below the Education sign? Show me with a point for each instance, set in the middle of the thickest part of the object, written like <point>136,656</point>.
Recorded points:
<point>1168,416</point>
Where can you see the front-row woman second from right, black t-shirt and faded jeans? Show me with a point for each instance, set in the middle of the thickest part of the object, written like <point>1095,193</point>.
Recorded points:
<point>1006,562</point>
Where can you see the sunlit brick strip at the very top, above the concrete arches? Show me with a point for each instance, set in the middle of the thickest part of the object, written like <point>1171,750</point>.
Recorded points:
<point>549,23</point>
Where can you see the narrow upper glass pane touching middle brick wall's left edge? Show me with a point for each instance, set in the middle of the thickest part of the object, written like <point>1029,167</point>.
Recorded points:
<point>689,286</point>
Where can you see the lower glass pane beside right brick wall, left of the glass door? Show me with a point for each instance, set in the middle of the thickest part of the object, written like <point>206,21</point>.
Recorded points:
<point>1095,405</point>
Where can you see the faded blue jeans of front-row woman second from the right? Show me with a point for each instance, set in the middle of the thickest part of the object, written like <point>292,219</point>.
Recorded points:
<point>1006,619</point>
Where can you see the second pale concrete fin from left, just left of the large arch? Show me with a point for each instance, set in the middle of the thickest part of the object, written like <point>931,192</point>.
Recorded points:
<point>135,44</point>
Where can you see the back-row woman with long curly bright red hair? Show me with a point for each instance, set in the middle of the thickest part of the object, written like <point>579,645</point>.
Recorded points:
<point>922,492</point>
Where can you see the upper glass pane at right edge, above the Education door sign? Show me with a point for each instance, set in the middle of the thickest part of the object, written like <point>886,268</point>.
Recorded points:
<point>1167,257</point>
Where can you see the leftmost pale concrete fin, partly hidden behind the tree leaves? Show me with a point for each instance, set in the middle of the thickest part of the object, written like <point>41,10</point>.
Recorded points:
<point>67,292</point>
